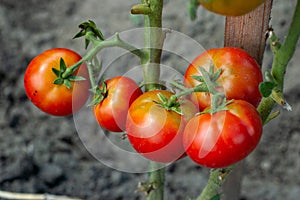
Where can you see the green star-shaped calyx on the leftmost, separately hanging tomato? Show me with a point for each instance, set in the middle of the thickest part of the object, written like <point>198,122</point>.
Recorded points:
<point>62,79</point>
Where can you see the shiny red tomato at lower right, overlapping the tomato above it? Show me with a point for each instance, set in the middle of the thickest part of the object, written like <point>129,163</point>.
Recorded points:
<point>225,137</point>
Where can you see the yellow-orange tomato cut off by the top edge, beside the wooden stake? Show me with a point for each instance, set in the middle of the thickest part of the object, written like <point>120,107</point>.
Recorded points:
<point>230,7</point>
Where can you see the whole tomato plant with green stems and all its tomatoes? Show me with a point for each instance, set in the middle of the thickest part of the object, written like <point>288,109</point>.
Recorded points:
<point>161,129</point>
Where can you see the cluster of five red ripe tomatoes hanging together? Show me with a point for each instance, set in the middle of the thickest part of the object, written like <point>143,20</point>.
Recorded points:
<point>159,125</point>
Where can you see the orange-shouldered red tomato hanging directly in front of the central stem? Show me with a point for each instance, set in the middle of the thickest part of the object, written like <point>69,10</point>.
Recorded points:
<point>155,132</point>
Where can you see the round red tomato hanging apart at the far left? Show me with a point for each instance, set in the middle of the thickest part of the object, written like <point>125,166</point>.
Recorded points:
<point>51,98</point>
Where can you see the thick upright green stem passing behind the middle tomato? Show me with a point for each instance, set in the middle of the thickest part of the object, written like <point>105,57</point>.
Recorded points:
<point>151,70</point>
